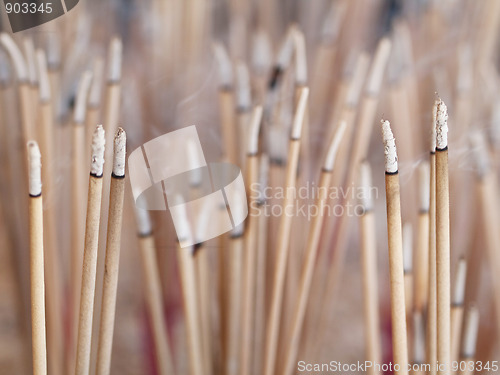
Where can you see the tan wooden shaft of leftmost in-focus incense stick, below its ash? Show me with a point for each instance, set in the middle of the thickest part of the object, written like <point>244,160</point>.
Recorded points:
<point>38,340</point>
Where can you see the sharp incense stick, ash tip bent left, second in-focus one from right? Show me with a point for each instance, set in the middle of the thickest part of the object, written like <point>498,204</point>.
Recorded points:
<point>395,240</point>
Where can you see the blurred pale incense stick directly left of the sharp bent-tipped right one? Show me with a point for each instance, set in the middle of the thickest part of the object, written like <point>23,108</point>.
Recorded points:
<point>373,340</point>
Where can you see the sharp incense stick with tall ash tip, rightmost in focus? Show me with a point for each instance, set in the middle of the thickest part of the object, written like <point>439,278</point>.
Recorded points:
<point>442,241</point>
